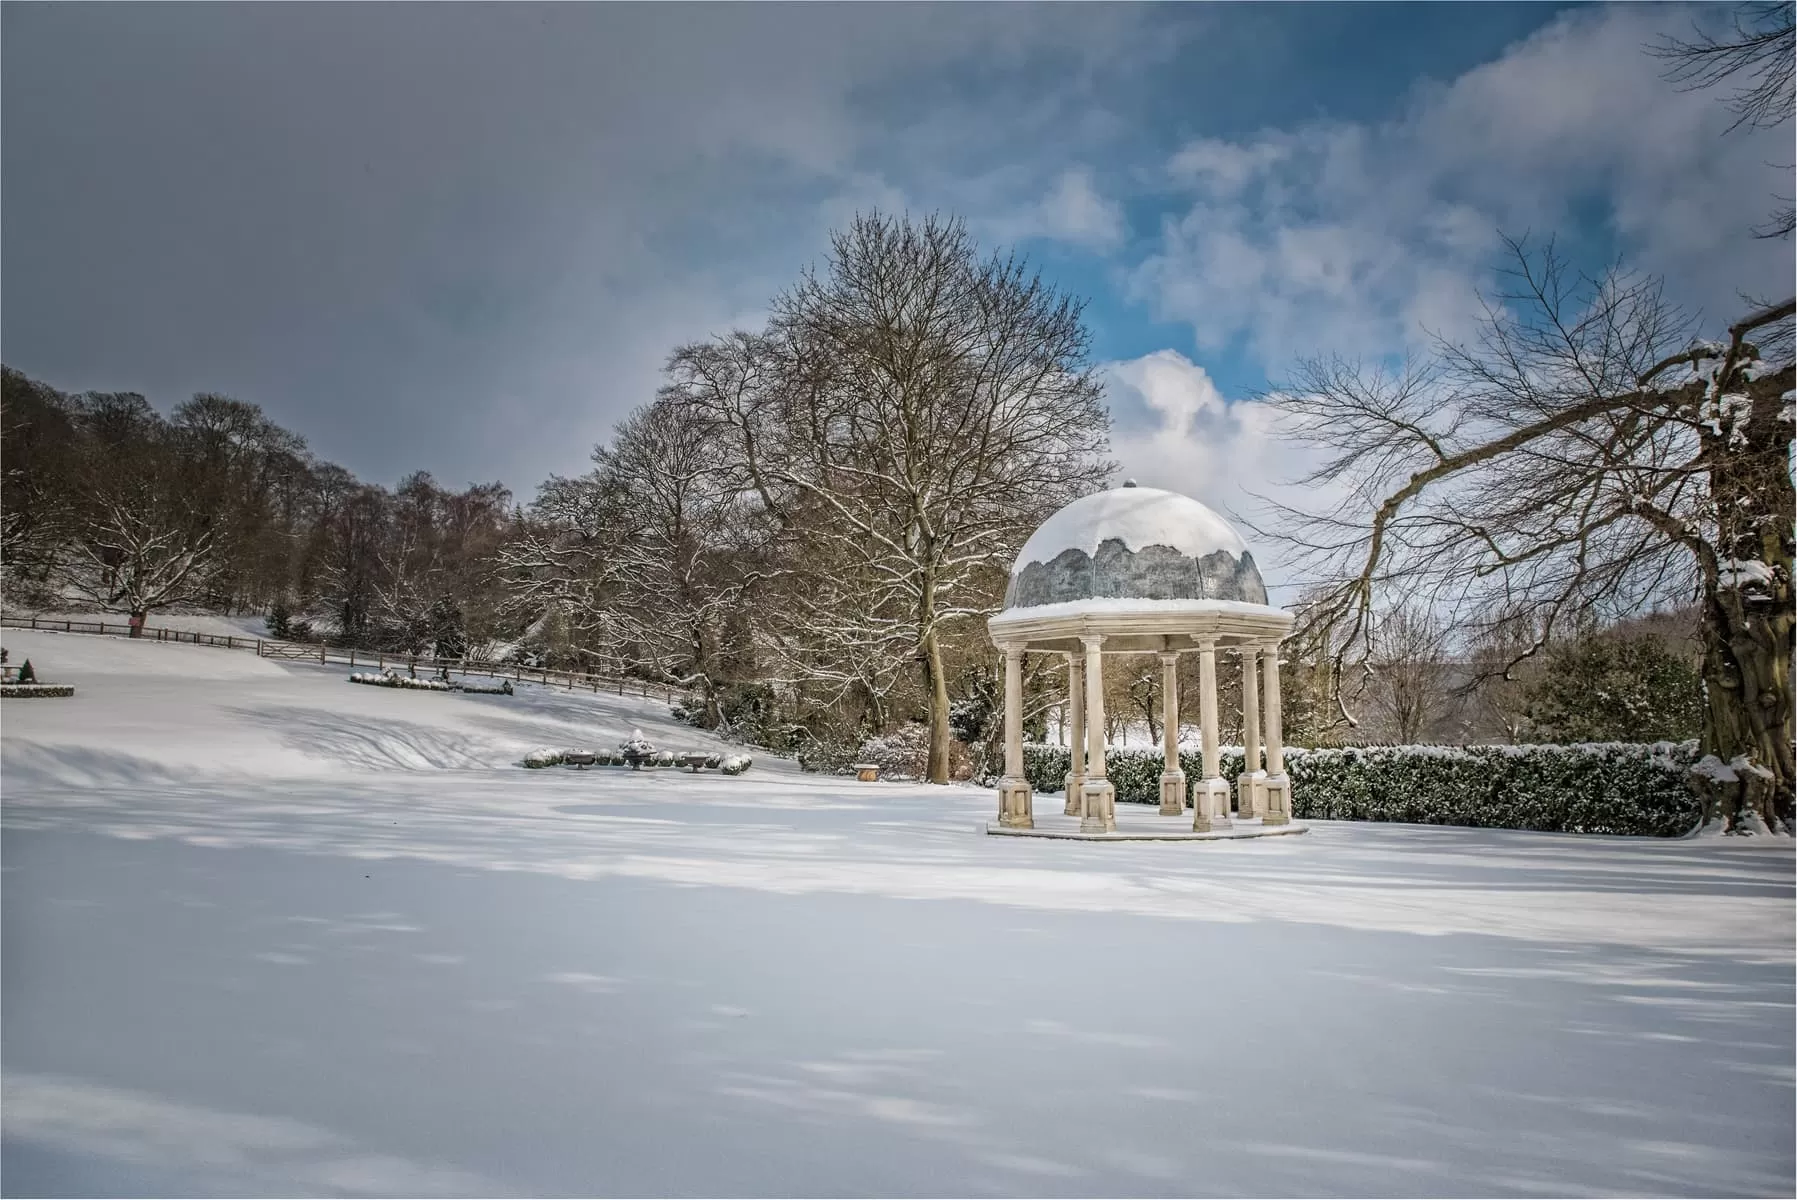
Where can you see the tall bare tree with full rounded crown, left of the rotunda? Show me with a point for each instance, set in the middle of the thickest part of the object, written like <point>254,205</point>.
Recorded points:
<point>914,412</point>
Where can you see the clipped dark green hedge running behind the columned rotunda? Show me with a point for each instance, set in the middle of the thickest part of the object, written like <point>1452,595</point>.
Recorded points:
<point>1607,788</point>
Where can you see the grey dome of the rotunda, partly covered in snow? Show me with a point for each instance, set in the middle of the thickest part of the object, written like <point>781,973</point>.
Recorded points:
<point>1135,543</point>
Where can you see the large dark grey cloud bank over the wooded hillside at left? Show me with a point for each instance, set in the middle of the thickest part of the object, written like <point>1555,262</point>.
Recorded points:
<point>445,236</point>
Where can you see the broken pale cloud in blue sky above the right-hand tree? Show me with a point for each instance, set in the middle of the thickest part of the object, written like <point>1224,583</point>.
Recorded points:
<point>1359,238</point>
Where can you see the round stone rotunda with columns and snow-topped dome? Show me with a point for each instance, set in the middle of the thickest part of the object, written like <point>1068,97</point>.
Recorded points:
<point>1128,572</point>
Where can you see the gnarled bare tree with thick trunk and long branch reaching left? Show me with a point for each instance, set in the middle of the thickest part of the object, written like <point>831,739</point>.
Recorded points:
<point>1582,457</point>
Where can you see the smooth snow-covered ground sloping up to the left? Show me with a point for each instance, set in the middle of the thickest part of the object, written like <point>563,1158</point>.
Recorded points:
<point>272,933</point>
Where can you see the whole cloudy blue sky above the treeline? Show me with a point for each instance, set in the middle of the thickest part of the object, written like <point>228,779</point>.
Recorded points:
<point>466,238</point>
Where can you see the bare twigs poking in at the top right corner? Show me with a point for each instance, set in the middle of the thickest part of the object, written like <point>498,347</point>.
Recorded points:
<point>1762,48</point>
